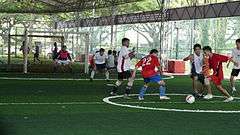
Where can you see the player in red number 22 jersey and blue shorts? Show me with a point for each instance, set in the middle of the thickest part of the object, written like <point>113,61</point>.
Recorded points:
<point>148,64</point>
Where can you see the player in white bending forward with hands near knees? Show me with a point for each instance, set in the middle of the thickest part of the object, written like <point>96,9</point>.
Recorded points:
<point>99,63</point>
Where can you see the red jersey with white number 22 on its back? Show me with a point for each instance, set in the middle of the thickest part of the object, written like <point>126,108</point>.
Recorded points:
<point>148,64</point>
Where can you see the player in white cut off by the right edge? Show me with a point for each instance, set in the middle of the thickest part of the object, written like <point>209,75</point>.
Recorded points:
<point>236,69</point>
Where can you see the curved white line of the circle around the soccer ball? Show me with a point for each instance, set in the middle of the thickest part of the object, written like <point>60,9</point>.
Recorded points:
<point>107,100</point>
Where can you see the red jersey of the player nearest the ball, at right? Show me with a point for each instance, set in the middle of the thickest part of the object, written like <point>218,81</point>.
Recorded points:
<point>215,63</point>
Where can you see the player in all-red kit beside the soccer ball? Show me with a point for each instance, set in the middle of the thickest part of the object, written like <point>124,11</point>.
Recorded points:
<point>215,63</point>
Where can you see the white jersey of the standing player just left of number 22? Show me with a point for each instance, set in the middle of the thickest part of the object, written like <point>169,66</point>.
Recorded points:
<point>123,60</point>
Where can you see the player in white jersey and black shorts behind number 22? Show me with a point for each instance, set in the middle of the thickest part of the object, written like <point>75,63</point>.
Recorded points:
<point>123,68</point>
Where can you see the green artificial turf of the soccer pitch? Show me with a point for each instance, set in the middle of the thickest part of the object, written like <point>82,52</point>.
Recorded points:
<point>102,118</point>
